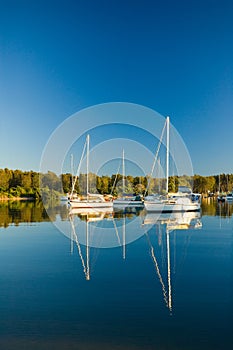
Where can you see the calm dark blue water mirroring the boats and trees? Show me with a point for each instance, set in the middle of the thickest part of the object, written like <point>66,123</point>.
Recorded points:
<point>170,287</point>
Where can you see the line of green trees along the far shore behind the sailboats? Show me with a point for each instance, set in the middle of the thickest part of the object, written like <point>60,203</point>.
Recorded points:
<point>30,184</point>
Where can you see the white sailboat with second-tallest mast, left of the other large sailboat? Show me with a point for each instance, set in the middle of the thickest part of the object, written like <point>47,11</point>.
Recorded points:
<point>90,200</point>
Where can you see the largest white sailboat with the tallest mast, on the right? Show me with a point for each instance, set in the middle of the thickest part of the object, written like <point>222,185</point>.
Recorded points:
<point>178,202</point>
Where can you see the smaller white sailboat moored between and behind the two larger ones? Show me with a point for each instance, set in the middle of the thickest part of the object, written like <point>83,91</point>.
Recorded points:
<point>126,200</point>
